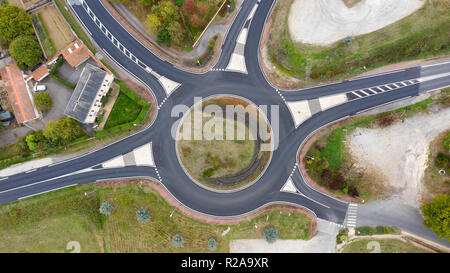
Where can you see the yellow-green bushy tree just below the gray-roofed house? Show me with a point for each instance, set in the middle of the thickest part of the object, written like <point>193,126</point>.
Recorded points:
<point>63,131</point>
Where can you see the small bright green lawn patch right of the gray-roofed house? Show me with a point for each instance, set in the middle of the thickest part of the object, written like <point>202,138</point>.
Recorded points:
<point>124,110</point>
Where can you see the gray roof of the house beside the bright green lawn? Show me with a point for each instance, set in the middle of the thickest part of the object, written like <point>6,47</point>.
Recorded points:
<point>83,97</point>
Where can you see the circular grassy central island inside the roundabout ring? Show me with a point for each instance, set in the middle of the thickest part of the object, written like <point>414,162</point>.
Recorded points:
<point>224,143</point>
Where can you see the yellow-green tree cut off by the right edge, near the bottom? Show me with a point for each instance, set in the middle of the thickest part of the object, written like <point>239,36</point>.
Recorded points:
<point>437,215</point>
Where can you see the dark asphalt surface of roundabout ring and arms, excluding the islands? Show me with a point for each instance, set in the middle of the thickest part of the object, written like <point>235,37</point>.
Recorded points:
<point>252,86</point>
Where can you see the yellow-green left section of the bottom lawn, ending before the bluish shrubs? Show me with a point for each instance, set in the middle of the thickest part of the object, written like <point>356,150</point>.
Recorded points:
<point>48,222</point>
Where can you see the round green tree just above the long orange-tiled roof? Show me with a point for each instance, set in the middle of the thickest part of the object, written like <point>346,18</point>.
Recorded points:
<point>26,50</point>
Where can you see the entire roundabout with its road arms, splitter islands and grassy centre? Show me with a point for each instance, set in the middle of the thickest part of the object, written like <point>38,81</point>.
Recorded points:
<point>218,177</point>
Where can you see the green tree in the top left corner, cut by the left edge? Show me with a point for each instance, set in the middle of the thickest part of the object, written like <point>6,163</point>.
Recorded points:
<point>14,22</point>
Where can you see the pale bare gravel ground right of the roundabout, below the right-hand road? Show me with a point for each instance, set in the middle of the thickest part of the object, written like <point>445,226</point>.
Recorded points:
<point>399,153</point>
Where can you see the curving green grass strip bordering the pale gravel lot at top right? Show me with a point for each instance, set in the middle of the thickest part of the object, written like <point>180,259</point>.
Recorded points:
<point>423,34</point>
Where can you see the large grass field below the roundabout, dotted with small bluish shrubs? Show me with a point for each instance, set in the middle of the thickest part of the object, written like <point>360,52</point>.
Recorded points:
<point>48,222</point>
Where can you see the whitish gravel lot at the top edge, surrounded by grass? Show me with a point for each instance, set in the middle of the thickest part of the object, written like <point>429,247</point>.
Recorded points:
<point>323,22</point>
